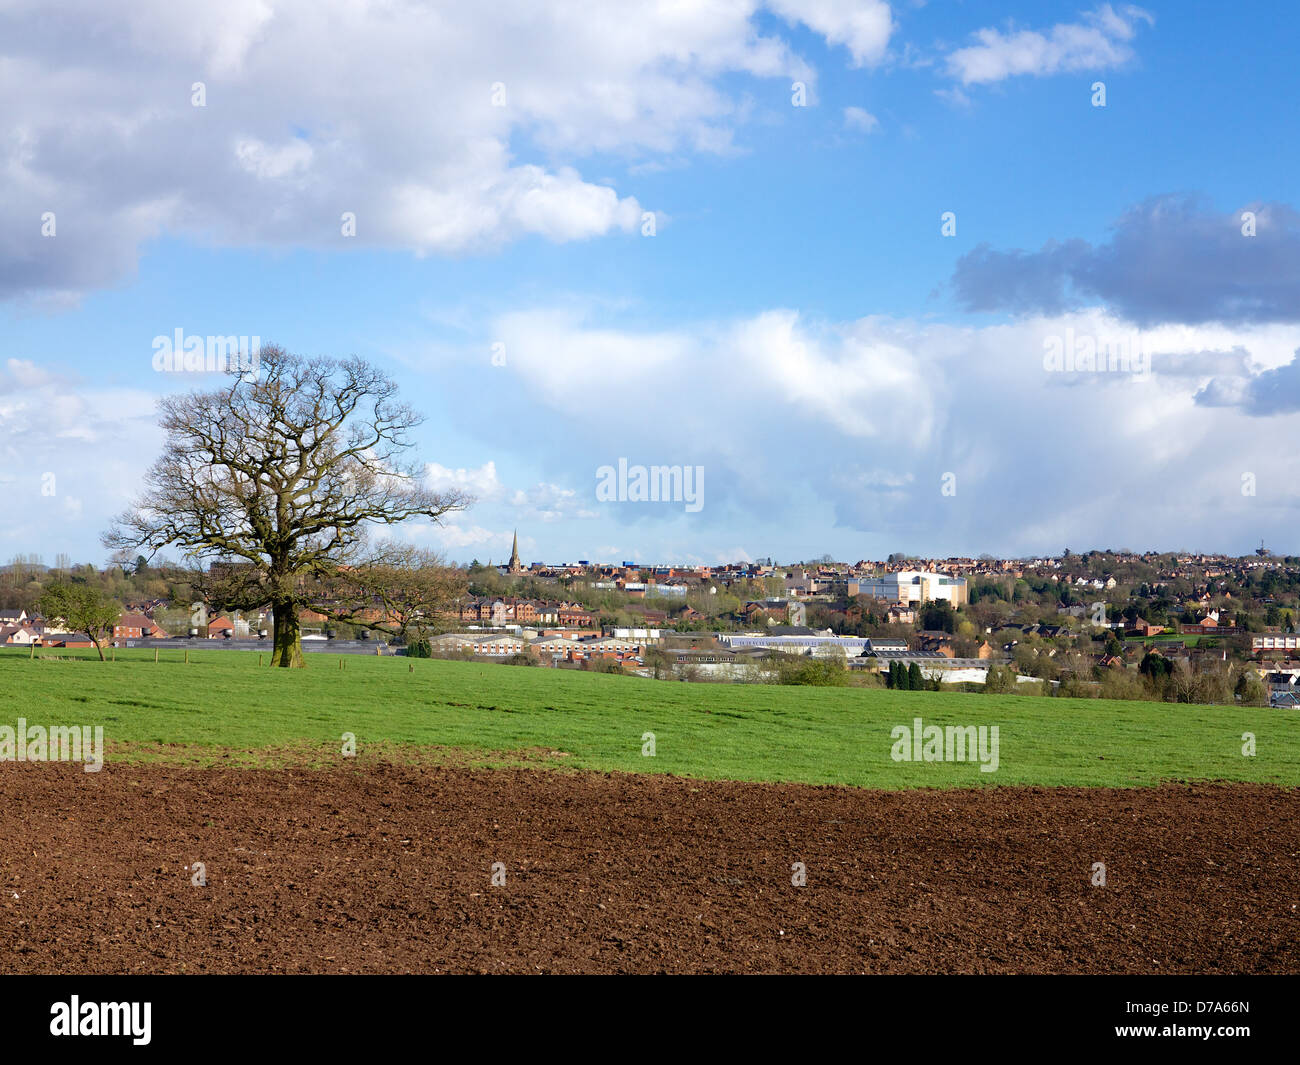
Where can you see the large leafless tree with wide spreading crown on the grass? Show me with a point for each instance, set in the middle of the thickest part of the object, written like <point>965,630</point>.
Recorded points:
<point>276,483</point>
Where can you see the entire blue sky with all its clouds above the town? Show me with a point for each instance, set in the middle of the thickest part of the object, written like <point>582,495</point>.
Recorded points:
<point>850,262</point>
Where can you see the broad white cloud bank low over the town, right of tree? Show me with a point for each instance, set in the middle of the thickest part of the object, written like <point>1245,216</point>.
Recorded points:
<point>826,430</point>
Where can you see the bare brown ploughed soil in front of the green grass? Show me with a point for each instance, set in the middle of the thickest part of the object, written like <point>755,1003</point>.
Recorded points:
<point>388,869</point>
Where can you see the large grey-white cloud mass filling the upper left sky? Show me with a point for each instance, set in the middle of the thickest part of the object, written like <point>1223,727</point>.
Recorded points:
<point>296,129</point>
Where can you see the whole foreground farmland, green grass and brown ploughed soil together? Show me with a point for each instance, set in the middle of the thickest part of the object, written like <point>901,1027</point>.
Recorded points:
<point>523,820</point>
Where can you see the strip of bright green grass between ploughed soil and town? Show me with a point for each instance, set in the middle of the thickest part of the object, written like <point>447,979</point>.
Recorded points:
<point>222,705</point>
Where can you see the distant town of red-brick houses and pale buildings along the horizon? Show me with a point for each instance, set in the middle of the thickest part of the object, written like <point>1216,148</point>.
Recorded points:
<point>1116,625</point>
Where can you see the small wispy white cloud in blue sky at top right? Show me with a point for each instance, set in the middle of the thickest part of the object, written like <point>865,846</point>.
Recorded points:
<point>1100,42</point>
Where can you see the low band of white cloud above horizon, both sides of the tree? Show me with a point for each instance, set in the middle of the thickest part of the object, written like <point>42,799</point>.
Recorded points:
<point>817,435</point>
